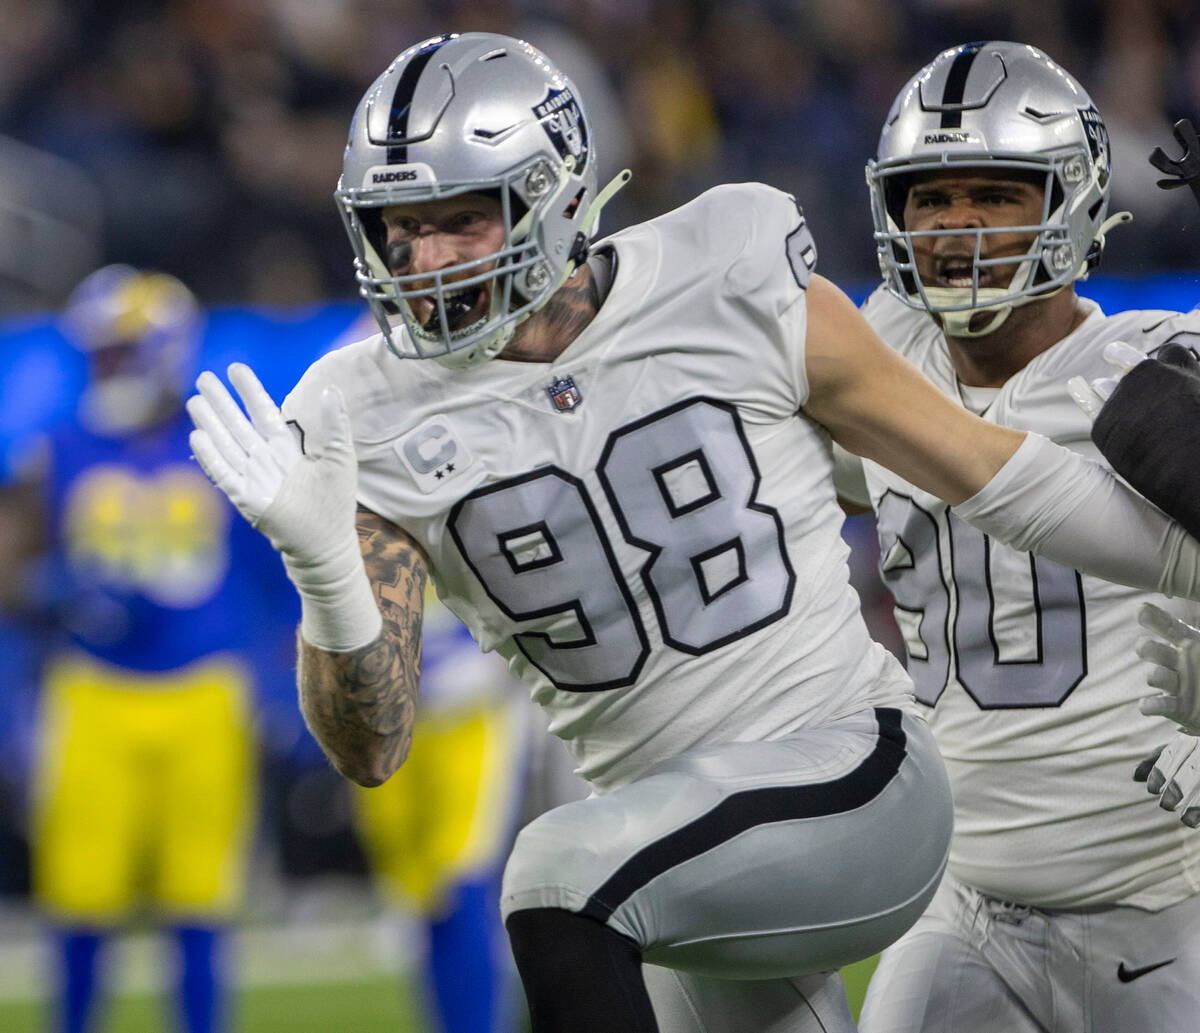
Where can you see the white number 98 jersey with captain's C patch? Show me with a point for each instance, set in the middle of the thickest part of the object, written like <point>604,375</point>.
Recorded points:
<point>646,528</point>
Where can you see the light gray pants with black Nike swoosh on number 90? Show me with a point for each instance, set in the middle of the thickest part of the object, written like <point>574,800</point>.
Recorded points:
<point>976,965</point>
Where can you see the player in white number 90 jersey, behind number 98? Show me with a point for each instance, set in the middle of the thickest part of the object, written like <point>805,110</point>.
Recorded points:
<point>1070,900</point>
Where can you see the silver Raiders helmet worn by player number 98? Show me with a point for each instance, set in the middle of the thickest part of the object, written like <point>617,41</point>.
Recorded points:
<point>472,113</point>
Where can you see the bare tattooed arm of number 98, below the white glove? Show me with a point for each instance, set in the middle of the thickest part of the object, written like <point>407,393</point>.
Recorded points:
<point>361,706</point>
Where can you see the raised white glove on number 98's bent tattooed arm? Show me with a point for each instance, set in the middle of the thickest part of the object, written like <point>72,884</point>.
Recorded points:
<point>303,500</point>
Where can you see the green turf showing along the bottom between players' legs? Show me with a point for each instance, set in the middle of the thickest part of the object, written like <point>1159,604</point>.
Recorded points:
<point>381,1006</point>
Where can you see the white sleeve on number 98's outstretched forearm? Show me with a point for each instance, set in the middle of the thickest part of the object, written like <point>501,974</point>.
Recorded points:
<point>1055,503</point>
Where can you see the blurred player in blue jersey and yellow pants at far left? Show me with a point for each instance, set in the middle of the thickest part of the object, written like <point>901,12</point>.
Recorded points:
<point>143,779</point>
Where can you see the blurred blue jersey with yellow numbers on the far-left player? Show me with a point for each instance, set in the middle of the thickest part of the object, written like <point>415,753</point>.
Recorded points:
<point>153,568</point>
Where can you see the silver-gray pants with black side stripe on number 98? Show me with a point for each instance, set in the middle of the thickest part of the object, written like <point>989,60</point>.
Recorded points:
<point>769,862</point>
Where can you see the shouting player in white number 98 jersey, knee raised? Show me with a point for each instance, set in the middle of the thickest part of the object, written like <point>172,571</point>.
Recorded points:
<point>615,464</point>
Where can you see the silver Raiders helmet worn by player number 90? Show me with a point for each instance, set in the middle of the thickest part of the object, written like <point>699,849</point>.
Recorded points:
<point>994,106</point>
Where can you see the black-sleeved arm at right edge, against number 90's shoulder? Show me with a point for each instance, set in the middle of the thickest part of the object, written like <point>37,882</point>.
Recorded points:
<point>1150,431</point>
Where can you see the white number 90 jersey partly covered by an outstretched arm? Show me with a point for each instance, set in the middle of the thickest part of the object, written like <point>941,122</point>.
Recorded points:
<point>1029,669</point>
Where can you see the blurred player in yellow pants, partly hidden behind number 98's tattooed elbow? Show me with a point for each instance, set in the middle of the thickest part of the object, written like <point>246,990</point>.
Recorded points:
<point>439,832</point>
